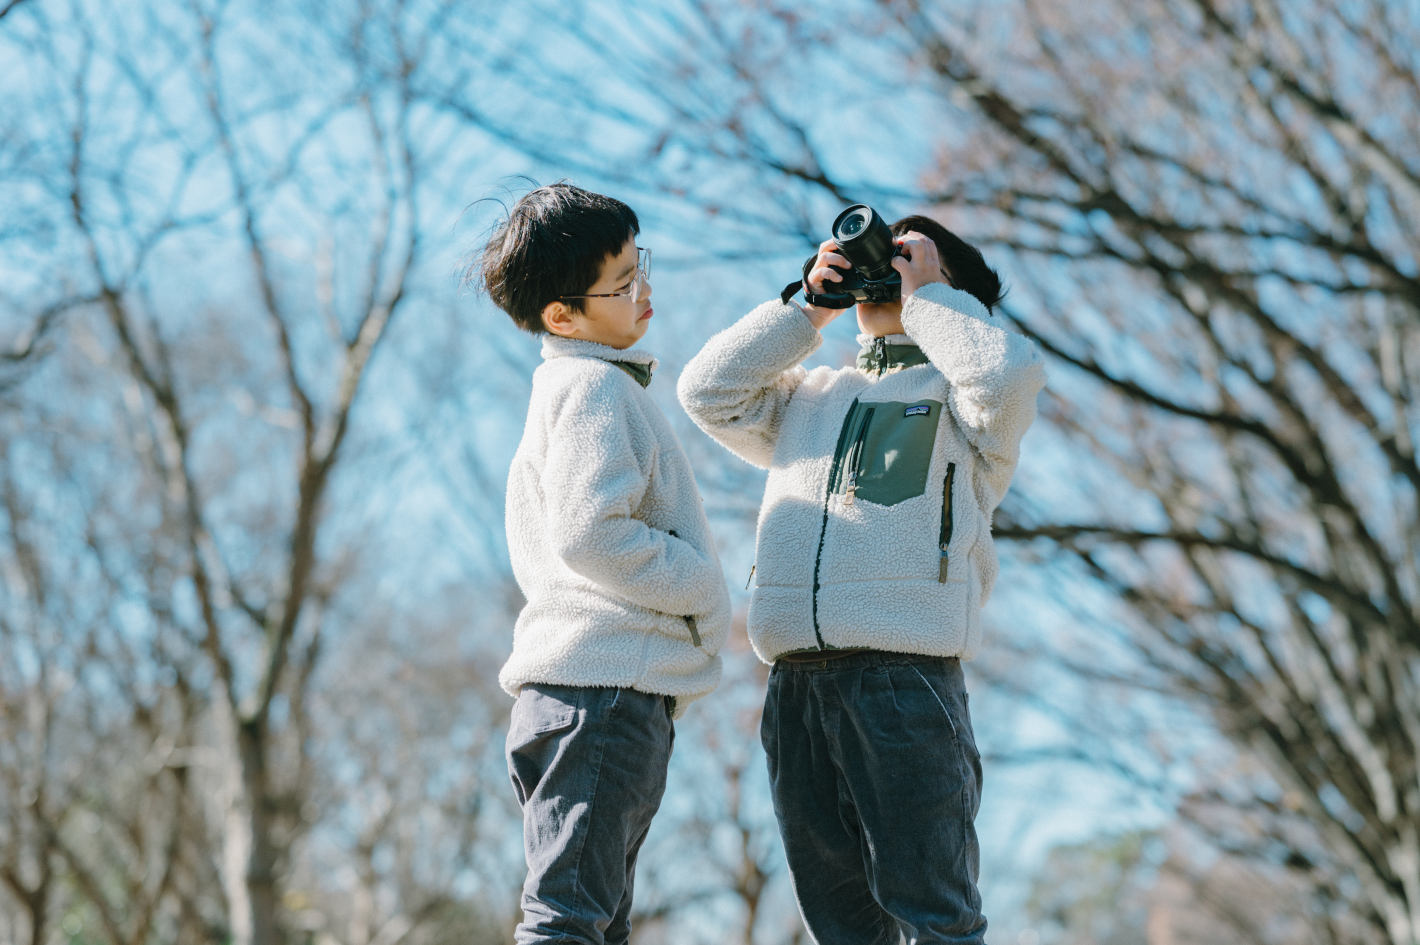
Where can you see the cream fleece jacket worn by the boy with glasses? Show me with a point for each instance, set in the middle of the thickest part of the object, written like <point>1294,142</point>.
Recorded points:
<point>608,536</point>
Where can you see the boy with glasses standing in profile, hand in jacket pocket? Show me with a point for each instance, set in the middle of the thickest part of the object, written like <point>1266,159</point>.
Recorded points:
<point>627,606</point>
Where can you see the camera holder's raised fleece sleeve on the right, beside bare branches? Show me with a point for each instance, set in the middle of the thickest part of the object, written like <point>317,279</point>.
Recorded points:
<point>993,374</point>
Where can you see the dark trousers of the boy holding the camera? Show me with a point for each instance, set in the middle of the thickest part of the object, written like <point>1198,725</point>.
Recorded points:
<point>877,784</point>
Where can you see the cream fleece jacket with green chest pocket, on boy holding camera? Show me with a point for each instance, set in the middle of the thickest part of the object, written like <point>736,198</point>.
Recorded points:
<point>875,528</point>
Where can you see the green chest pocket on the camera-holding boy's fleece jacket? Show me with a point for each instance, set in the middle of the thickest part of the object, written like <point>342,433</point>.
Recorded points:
<point>884,451</point>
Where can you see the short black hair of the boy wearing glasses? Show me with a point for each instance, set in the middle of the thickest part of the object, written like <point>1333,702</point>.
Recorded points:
<point>552,245</point>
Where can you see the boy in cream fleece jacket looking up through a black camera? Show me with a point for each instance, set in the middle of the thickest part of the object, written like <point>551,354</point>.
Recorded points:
<point>874,559</point>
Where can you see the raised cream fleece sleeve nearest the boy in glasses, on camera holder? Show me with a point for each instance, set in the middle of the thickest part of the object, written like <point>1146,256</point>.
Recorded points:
<point>739,384</point>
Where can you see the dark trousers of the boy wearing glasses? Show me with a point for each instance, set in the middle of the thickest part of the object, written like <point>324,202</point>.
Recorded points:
<point>590,769</point>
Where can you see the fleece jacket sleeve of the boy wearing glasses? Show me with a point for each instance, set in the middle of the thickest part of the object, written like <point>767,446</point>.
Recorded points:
<point>600,460</point>
